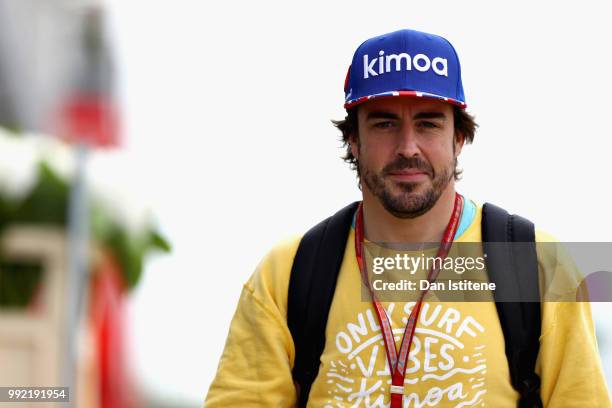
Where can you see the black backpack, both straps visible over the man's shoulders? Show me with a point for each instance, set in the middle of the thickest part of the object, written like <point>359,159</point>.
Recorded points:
<point>514,270</point>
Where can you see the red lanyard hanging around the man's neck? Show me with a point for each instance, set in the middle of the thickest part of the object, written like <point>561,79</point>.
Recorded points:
<point>397,364</point>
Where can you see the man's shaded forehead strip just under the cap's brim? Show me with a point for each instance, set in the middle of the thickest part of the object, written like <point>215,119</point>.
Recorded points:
<point>401,106</point>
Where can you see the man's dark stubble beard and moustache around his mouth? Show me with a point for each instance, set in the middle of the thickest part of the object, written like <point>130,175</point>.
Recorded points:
<point>408,203</point>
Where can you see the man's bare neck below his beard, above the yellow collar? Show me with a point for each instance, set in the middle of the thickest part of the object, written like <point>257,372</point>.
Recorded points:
<point>382,226</point>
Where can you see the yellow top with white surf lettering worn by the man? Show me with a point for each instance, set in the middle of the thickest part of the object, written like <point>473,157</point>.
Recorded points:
<point>457,357</point>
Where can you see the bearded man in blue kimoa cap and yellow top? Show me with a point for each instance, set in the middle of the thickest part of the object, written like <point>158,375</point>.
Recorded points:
<point>405,127</point>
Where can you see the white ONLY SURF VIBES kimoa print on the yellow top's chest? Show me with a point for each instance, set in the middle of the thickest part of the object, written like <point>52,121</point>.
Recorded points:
<point>445,356</point>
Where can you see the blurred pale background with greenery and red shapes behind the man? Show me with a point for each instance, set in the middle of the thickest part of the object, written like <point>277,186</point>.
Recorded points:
<point>152,152</point>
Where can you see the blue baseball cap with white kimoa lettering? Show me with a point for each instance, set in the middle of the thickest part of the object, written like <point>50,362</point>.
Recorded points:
<point>404,63</point>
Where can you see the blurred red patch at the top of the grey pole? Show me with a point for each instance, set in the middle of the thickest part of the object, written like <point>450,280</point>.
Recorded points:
<point>91,119</point>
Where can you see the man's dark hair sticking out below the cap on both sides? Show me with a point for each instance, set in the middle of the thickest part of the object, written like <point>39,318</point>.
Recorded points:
<point>464,125</point>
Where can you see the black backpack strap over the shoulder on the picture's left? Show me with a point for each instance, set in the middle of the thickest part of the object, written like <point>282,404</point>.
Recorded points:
<point>311,289</point>
